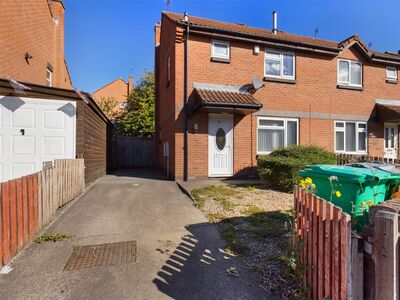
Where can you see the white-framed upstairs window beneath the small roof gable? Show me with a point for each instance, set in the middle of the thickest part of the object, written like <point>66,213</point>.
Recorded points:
<point>349,73</point>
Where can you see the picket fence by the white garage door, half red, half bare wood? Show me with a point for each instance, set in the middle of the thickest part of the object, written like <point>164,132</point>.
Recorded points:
<point>29,203</point>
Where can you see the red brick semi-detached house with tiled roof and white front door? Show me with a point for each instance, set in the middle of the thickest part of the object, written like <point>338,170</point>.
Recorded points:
<point>227,93</point>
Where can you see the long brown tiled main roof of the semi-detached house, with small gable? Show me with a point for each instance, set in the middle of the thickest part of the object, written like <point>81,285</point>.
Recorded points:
<point>279,37</point>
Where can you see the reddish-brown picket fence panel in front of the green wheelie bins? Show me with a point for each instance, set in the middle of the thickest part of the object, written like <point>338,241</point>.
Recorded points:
<point>323,238</point>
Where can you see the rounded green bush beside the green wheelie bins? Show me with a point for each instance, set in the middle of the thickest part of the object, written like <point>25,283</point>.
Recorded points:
<point>280,169</point>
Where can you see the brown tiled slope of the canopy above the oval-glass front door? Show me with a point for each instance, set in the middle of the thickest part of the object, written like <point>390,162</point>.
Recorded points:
<point>225,98</point>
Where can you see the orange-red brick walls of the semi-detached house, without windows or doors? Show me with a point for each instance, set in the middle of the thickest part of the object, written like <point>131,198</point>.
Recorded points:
<point>314,98</point>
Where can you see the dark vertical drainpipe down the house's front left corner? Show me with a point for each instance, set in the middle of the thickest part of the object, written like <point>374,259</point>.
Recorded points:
<point>186,95</point>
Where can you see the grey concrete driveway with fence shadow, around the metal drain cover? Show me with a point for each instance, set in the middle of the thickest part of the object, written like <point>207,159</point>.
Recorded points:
<point>178,252</point>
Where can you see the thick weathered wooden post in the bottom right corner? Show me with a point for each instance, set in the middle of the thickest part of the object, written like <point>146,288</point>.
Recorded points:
<point>385,254</point>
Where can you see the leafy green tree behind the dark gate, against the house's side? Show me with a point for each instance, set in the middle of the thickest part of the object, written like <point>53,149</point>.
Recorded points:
<point>139,119</point>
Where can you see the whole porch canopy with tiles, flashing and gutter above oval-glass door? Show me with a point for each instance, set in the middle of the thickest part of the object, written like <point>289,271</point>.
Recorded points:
<point>226,98</point>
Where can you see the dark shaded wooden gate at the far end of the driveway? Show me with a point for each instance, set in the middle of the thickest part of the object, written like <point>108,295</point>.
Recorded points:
<point>133,152</point>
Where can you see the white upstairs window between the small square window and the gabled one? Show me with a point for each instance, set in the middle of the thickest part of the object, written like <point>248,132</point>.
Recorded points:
<point>279,64</point>
